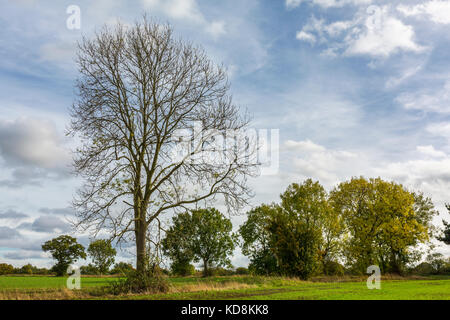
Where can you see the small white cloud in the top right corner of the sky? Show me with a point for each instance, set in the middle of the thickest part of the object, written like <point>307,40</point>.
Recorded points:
<point>437,11</point>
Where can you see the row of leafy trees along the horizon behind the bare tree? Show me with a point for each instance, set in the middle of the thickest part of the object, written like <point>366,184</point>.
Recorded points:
<point>361,222</point>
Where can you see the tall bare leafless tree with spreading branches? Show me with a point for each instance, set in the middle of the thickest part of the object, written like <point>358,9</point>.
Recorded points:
<point>156,124</point>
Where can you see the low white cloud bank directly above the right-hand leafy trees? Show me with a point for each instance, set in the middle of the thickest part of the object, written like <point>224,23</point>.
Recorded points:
<point>429,171</point>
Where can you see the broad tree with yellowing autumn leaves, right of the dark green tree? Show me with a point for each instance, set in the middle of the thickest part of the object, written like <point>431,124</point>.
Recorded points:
<point>384,223</point>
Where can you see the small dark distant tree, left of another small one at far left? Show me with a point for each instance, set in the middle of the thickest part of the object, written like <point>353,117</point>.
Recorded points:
<point>65,250</point>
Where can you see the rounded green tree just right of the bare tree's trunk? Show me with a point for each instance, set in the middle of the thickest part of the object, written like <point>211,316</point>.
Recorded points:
<point>203,235</point>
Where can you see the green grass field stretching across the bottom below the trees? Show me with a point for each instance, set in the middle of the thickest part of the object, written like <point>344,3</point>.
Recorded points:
<point>236,287</point>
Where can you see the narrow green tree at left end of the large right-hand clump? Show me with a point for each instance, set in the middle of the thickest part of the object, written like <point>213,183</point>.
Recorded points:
<point>256,240</point>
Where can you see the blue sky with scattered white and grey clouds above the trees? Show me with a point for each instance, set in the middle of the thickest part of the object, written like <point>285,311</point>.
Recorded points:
<point>355,87</point>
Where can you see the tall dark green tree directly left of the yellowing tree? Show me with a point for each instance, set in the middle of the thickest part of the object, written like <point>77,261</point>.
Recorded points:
<point>306,232</point>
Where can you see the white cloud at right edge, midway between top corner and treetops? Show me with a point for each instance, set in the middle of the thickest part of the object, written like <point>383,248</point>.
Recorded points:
<point>427,100</point>
